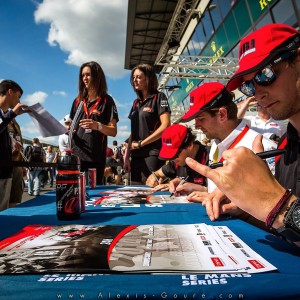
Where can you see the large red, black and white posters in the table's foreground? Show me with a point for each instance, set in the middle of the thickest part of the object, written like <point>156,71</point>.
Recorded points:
<point>191,248</point>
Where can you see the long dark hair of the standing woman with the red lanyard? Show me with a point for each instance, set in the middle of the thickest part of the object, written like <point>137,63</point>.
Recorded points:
<point>98,80</point>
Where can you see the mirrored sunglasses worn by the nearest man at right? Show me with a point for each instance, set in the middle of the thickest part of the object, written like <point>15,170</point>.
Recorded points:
<point>265,77</point>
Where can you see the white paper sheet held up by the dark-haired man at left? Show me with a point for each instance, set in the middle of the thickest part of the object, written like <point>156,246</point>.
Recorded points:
<point>45,122</point>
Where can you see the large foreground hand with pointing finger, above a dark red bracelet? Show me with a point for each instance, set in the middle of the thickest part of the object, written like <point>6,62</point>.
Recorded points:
<point>245,180</point>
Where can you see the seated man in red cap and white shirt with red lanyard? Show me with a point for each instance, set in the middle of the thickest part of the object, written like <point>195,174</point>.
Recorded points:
<point>215,114</point>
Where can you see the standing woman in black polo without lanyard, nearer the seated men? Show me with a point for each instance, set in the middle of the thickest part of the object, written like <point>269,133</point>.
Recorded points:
<point>150,116</point>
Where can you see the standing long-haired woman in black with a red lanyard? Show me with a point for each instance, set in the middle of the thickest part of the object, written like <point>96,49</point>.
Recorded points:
<point>95,121</point>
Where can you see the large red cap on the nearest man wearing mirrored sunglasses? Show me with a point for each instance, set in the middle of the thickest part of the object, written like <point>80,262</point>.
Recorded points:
<point>261,47</point>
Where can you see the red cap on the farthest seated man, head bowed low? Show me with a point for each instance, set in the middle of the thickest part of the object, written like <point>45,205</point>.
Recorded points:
<point>172,139</point>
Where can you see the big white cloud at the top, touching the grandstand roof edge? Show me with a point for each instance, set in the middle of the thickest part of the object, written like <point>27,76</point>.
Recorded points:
<point>88,30</point>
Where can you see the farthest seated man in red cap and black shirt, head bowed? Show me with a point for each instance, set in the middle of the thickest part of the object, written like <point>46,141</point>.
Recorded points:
<point>178,143</point>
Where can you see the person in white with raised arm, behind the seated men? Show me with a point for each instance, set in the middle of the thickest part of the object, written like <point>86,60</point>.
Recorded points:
<point>262,122</point>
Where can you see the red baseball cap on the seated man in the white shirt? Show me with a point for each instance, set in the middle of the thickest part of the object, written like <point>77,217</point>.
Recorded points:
<point>208,95</point>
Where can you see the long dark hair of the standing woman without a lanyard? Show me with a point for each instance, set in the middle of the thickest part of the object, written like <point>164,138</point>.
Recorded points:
<point>152,82</point>
